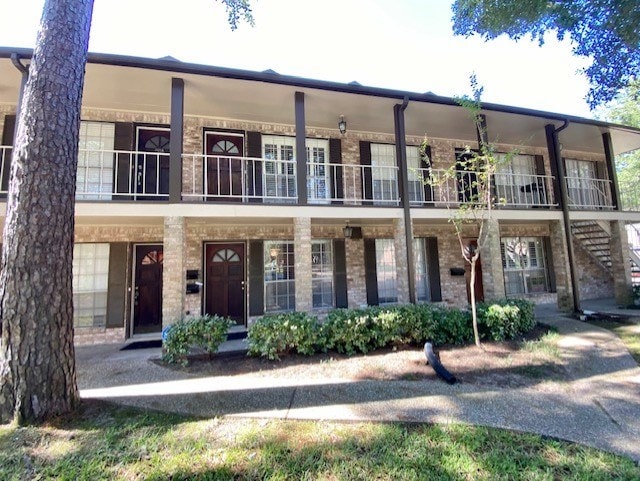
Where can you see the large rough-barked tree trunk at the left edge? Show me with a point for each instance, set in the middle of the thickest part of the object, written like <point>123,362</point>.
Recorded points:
<point>37,359</point>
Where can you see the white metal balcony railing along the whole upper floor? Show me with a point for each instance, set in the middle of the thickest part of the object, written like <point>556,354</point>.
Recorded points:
<point>118,175</point>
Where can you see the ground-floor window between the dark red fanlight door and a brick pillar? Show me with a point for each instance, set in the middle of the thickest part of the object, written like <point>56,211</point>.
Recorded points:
<point>279,278</point>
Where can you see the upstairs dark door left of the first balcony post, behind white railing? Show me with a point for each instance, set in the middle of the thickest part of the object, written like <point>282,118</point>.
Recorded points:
<point>152,163</point>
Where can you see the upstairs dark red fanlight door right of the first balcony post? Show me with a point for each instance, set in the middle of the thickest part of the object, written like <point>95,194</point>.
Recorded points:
<point>224,167</point>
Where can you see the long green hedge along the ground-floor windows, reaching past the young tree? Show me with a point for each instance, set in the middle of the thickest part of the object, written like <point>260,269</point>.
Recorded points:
<point>352,331</point>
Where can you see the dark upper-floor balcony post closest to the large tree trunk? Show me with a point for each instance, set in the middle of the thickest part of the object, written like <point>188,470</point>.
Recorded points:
<point>176,142</point>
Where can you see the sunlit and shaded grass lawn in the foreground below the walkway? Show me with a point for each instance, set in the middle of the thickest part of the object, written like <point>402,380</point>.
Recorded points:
<point>103,441</point>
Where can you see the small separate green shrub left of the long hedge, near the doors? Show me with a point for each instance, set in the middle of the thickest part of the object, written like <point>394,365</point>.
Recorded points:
<point>206,332</point>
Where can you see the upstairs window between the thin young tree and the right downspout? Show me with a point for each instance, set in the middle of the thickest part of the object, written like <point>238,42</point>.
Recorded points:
<point>516,181</point>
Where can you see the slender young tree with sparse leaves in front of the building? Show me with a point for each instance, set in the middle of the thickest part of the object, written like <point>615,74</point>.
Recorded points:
<point>472,177</point>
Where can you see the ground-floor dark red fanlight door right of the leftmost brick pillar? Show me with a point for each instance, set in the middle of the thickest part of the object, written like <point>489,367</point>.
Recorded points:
<point>225,280</point>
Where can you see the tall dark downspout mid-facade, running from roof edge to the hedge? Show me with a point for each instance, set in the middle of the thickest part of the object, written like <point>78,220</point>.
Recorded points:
<point>401,153</point>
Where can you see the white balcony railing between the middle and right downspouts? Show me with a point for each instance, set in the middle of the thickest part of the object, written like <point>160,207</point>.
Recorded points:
<point>431,186</point>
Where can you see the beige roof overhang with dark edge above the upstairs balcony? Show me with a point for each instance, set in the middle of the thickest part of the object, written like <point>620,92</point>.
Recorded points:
<point>133,84</point>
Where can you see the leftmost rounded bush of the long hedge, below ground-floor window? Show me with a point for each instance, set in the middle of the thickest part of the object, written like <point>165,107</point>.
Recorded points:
<point>277,334</point>
